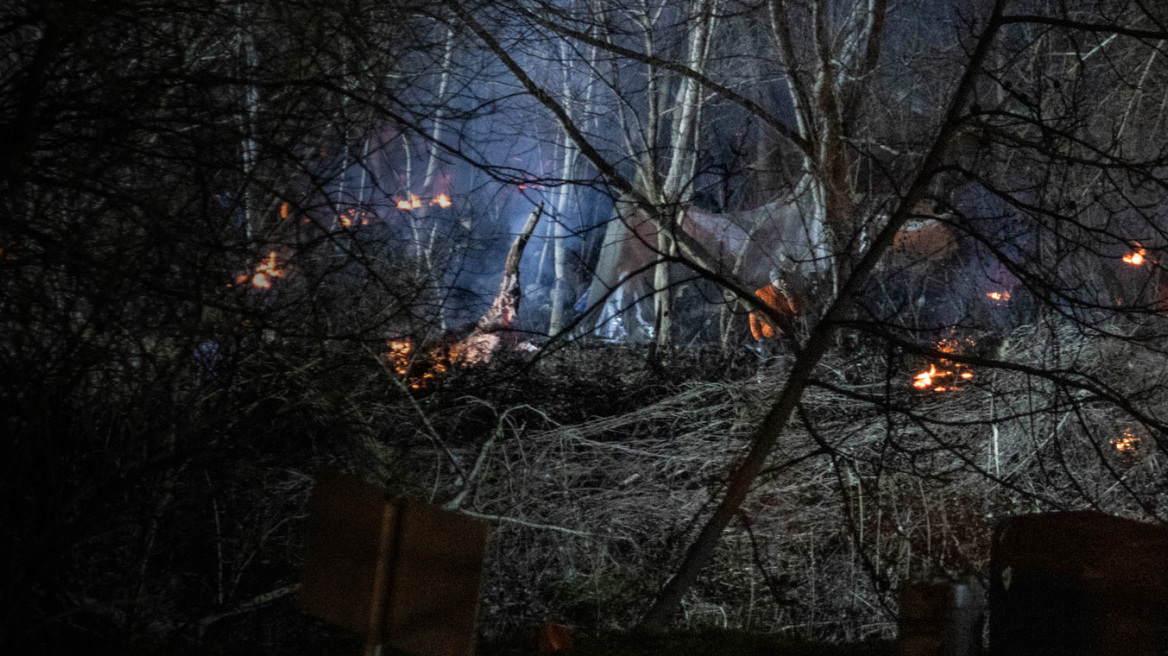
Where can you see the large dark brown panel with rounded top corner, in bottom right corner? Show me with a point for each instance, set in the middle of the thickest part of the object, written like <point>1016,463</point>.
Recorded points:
<point>1079,584</point>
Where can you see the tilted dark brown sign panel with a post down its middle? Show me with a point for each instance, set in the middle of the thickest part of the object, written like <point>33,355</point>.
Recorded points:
<point>401,571</point>
